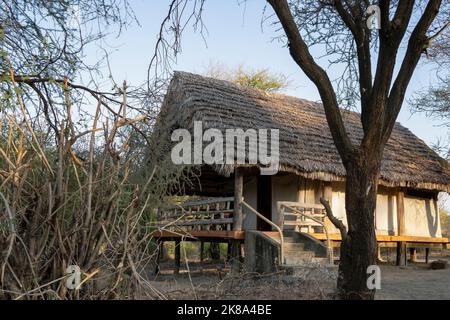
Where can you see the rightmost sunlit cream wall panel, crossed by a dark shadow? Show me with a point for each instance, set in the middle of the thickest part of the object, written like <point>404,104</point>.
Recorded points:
<point>421,217</point>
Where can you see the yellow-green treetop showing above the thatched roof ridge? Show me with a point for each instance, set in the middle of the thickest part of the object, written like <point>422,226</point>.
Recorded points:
<point>262,79</point>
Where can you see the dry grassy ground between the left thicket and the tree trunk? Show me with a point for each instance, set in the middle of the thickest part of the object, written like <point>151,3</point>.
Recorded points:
<point>308,283</point>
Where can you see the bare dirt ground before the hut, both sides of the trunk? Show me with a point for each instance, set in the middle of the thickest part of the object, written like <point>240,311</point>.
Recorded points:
<point>212,281</point>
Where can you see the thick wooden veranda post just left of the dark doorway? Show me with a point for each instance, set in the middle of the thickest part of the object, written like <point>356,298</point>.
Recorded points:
<point>237,219</point>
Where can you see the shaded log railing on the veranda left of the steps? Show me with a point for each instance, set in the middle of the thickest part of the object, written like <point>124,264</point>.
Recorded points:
<point>209,214</point>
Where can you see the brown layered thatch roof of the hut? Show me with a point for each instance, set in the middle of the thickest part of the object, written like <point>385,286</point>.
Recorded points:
<point>306,145</point>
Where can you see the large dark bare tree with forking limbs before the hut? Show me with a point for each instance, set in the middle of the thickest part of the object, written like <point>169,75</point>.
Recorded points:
<point>381,95</point>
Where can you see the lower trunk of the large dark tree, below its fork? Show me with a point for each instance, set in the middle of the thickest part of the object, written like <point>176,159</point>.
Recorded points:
<point>359,248</point>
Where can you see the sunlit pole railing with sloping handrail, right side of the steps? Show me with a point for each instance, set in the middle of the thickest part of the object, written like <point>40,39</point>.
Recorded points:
<point>304,215</point>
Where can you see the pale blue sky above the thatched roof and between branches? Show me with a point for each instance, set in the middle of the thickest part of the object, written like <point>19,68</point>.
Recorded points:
<point>236,36</point>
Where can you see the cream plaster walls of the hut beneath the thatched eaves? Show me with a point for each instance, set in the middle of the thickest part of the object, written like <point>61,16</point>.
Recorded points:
<point>421,215</point>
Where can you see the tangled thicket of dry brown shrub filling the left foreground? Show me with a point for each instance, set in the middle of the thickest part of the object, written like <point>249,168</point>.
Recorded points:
<point>70,197</point>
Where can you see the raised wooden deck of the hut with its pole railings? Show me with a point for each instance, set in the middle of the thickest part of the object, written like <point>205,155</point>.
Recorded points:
<point>212,220</point>
